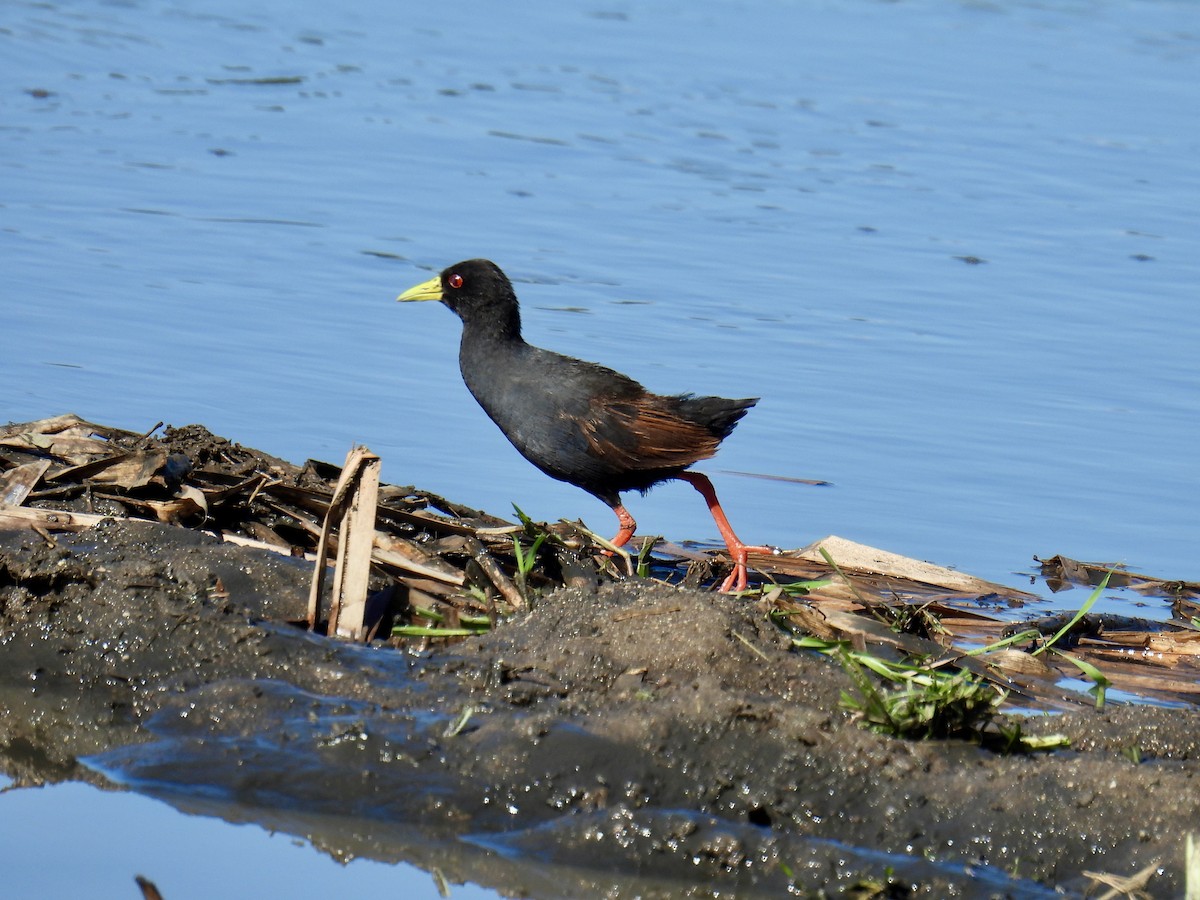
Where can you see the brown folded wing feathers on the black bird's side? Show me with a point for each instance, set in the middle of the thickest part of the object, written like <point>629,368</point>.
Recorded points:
<point>644,435</point>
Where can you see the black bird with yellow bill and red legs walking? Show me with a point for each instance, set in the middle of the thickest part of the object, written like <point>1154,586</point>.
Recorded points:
<point>579,422</point>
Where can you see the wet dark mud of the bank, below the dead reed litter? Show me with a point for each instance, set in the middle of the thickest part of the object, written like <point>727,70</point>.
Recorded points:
<point>616,740</point>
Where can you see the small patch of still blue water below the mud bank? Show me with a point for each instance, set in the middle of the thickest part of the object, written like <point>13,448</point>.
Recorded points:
<point>100,842</point>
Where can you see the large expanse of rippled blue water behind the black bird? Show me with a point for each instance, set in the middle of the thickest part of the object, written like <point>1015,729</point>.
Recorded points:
<point>206,215</point>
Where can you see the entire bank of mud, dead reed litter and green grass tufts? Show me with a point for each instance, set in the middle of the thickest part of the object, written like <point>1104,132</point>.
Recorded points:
<point>602,734</point>
